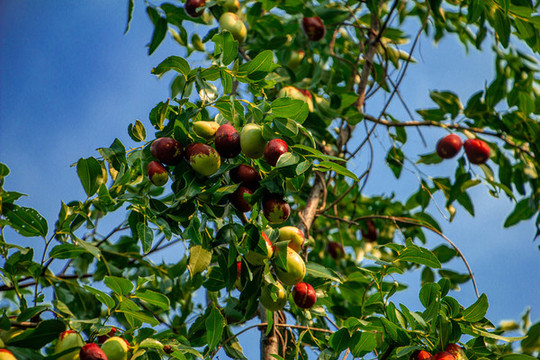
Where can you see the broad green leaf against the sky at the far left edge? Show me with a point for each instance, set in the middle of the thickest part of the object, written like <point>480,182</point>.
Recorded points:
<point>27,221</point>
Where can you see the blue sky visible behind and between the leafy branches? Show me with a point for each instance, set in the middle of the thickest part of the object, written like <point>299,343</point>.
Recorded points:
<point>71,82</point>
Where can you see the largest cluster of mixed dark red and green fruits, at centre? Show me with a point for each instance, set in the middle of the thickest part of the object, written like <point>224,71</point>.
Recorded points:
<point>206,161</point>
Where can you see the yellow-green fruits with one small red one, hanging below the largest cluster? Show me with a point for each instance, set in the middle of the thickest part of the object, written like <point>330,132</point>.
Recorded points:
<point>303,293</point>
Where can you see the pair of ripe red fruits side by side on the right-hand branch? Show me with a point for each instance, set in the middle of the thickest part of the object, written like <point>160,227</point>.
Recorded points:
<point>477,151</point>
